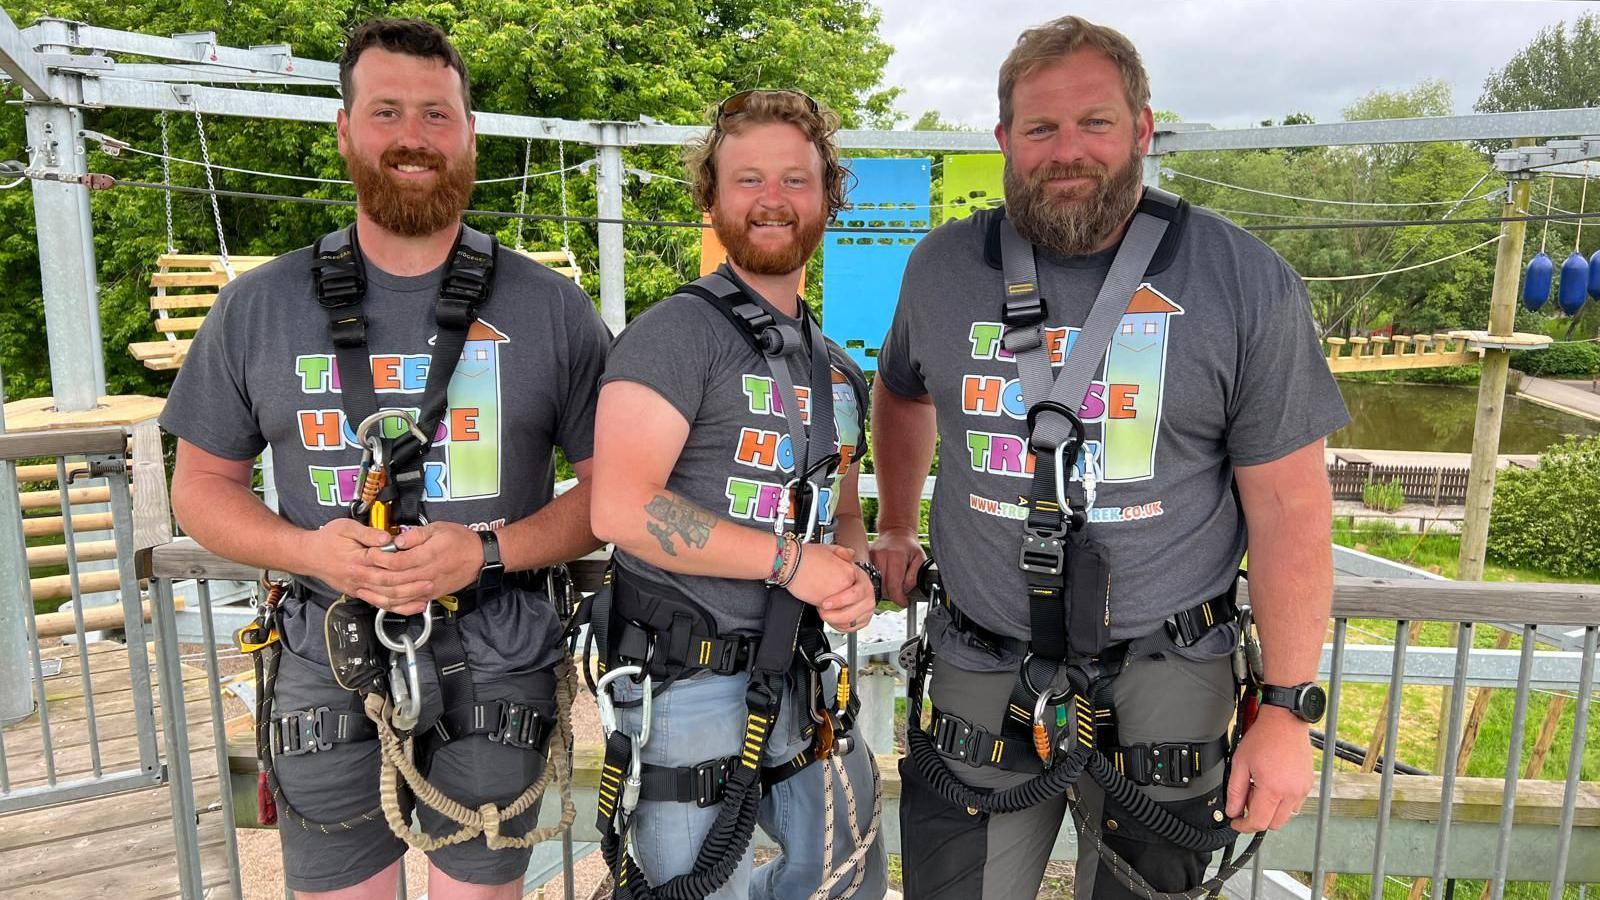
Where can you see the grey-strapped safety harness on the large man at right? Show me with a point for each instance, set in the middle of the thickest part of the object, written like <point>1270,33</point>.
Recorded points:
<point>1060,720</point>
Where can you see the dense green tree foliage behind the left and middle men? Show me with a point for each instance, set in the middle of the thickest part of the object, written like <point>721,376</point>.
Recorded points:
<point>607,60</point>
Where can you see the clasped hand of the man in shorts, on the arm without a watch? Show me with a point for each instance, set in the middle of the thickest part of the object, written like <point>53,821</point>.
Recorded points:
<point>345,555</point>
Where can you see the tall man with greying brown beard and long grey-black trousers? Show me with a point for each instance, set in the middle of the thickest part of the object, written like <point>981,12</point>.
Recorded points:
<point>1206,412</point>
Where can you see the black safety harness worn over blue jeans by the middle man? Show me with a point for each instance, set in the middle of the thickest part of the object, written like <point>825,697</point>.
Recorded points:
<point>655,637</point>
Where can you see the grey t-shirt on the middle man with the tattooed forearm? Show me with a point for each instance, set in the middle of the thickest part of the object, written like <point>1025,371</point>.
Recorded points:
<point>738,456</point>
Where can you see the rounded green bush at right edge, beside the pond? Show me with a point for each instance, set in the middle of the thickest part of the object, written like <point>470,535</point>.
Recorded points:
<point>1550,518</point>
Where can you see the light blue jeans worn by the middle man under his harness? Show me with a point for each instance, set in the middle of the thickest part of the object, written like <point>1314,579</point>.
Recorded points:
<point>703,718</point>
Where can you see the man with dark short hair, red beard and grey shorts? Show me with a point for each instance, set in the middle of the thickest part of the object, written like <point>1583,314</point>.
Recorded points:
<point>498,358</point>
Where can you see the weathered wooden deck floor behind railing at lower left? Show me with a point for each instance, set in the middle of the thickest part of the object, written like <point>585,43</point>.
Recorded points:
<point>119,846</point>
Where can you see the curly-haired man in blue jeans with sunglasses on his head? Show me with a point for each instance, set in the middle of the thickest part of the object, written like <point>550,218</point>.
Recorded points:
<point>727,451</point>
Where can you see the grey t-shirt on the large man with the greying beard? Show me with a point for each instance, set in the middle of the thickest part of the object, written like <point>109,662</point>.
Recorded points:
<point>1215,366</point>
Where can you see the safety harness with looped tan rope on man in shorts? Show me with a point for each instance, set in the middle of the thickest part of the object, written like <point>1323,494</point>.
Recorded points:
<point>386,702</point>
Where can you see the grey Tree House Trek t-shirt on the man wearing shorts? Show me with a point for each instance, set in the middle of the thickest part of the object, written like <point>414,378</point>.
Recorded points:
<point>263,372</point>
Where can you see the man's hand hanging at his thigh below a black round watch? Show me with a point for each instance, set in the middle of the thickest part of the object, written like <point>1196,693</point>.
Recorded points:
<point>1273,773</point>
